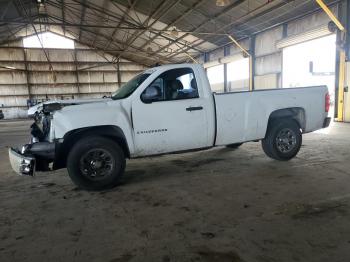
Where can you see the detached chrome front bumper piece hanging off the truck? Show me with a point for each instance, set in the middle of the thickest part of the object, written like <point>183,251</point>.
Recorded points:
<point>22,165</point>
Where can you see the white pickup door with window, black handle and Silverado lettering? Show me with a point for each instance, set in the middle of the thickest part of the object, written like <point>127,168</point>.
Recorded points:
<point>170,116</point>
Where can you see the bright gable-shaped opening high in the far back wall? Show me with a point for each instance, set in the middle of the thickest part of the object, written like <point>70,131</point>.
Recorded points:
<point>48,40</point>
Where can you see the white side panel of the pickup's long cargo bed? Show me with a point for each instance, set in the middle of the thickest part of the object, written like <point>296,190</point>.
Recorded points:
<point>243,116</point>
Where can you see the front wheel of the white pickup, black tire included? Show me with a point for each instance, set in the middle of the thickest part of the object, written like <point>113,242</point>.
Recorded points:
<point>96,163</point>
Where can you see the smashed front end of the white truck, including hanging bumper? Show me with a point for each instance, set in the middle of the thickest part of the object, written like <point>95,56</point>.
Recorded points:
<point>40,152</point>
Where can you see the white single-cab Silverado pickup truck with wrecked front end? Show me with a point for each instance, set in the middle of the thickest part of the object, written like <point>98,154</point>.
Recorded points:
<point>163,110</point>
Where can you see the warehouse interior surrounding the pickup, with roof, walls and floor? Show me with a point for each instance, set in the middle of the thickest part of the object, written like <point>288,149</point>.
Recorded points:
<point>217,205</point>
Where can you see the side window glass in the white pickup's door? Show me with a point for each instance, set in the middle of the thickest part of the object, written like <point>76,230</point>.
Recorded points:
<point>174,84</point>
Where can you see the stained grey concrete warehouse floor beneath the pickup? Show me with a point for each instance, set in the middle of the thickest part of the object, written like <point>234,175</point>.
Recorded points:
<point>217,205</point>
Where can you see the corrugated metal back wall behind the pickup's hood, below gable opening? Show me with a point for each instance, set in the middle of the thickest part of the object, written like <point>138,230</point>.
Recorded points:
<point>77,73</point>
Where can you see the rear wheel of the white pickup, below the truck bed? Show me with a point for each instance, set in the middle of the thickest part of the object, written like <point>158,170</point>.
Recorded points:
<point>283,139</point>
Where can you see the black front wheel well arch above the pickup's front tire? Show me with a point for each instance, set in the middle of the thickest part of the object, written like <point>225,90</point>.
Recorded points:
<point>112,132</point>
